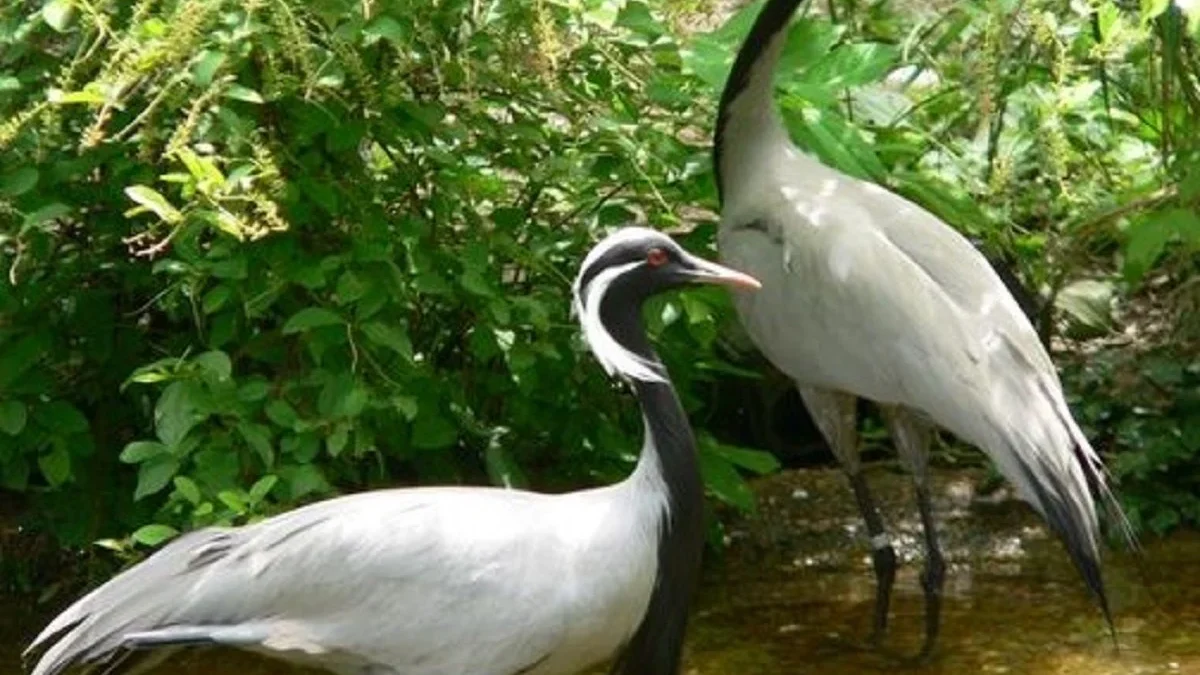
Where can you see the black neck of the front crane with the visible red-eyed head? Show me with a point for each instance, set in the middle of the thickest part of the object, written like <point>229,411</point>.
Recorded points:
<point>668,464</point>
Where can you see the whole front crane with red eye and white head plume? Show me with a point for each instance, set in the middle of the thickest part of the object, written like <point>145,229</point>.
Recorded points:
<point>451,581</point>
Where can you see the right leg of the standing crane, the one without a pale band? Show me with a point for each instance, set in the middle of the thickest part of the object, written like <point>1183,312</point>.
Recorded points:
<point>913,437</point>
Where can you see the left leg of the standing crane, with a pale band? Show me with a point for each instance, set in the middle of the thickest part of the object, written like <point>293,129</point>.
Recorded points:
<point>835,415</point>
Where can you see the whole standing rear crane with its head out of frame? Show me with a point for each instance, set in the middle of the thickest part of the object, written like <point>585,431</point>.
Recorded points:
<point>867,295</point>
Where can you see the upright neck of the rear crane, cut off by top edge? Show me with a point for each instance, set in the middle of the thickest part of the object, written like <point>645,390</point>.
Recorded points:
<point>747,122</point>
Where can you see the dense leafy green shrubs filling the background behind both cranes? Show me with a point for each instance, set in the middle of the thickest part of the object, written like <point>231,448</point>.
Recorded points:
<point>256,253</point>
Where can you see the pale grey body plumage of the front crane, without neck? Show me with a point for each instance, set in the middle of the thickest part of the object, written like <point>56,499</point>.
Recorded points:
<point>431,582</point>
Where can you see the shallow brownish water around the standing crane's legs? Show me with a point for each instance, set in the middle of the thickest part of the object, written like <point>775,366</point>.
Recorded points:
<point>795,593</point>
